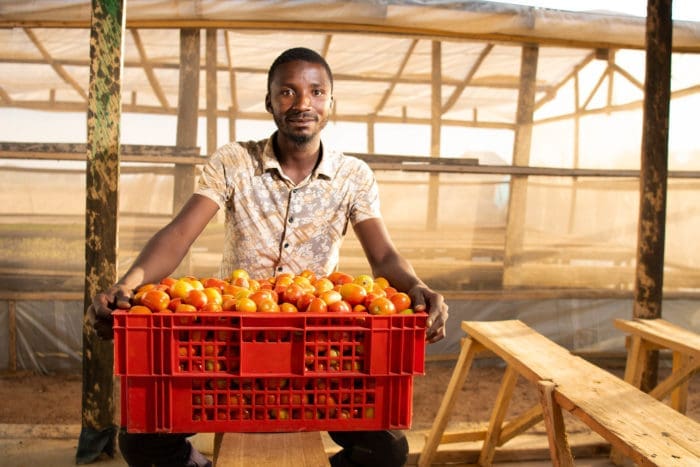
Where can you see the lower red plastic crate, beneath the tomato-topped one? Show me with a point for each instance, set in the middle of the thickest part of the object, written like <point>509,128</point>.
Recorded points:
<point>175,404</point>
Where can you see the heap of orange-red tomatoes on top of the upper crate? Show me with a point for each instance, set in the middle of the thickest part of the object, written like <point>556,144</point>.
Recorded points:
<point>338,292</point>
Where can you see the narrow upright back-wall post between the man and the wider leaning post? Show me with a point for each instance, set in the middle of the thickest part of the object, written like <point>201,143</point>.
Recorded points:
<point>435,129</point>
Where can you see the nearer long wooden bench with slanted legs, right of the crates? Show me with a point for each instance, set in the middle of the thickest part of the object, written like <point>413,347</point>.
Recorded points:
<point>640,427</point>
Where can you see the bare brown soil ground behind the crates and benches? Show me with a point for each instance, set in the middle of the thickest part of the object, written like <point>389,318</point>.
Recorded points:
<point>46,403</point>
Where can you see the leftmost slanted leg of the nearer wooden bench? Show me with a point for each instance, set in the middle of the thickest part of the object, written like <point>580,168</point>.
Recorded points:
<point>459,375</point>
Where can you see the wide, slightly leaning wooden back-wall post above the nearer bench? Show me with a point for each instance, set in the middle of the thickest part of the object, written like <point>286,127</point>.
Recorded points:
<point>517,202</point>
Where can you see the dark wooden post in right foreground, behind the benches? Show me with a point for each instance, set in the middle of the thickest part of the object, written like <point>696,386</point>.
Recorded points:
<point>648,290</point>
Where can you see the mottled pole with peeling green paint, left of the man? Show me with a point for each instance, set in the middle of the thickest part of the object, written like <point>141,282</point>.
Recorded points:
<point>107,30</point>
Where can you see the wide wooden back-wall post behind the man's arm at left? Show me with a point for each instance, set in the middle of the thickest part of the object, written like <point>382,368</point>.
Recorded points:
<point>187,113</point>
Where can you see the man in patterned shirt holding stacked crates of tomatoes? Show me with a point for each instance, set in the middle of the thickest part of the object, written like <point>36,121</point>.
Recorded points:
<point>288,201</point>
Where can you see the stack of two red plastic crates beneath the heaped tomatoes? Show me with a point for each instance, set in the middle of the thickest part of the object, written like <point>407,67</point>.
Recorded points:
<point>212,372</point>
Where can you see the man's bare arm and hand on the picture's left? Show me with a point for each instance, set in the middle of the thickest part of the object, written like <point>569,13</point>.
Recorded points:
<point>159,258</point>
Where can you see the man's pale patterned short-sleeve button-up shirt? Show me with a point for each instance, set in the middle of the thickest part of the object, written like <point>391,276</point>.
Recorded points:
<point>273,225</point>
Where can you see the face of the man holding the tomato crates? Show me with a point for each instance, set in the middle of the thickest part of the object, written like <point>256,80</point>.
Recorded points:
<point>300,100</point>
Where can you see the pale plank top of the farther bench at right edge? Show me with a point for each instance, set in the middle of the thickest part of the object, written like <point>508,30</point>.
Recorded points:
<point>664,333</point>
